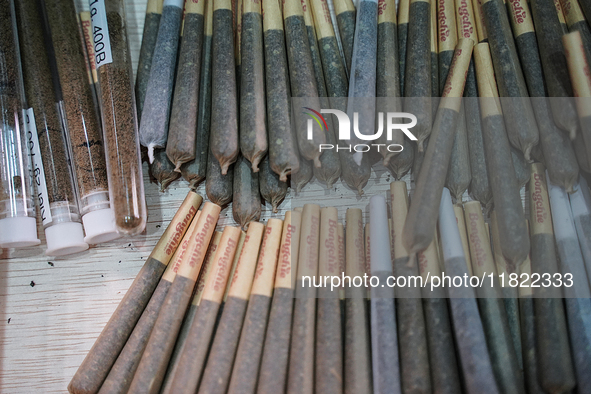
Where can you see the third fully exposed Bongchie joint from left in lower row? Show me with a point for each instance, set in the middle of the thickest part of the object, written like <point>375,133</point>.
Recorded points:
<point>193,354</point>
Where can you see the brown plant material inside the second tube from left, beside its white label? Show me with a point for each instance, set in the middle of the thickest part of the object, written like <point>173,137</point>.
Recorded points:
<point>41,97</point>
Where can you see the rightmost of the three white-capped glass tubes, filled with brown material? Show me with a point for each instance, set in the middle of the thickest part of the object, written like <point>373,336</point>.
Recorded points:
<point>81,119</point>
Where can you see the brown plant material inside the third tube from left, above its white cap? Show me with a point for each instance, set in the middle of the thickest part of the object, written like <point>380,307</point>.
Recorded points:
<point>84,130</point>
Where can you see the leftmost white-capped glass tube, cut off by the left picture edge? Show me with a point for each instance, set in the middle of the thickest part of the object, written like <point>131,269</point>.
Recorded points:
<point>18,226</point>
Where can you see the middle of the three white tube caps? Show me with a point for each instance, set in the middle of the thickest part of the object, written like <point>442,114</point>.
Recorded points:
<point>65,238</point>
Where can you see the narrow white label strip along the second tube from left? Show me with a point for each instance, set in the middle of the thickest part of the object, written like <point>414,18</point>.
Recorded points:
<point>38,172</point>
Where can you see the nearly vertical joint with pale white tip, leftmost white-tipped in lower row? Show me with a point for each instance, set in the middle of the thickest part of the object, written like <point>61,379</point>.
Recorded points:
<point>384,341</point>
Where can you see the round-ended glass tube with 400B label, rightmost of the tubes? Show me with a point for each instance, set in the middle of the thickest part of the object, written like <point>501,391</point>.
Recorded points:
<point>119,116</point>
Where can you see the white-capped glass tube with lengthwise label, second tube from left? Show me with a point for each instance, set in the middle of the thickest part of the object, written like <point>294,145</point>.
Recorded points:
<point>57,193</point>
